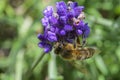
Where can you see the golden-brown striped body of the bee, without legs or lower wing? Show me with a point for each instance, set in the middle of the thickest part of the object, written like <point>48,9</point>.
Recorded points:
<point>69,52</point>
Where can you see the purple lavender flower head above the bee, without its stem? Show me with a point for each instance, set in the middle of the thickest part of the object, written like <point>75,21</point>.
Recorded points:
<point>63,25</point>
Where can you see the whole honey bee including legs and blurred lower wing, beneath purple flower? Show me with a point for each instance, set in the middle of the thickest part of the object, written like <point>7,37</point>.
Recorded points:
<point>73,53</point>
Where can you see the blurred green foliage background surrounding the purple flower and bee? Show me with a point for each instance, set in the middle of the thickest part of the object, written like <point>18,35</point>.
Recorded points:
<point>20,24</point>
